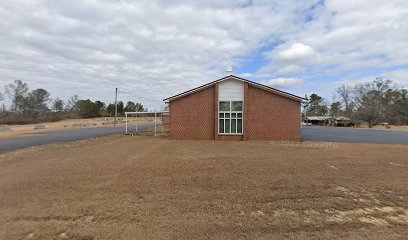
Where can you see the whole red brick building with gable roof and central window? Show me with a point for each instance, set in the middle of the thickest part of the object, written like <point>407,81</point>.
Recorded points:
<point>233,108</point>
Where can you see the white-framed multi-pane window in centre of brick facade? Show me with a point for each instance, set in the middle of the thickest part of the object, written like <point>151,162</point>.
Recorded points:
<point>230,117</point>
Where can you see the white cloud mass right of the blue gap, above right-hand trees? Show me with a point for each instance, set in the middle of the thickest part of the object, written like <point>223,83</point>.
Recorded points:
<point>353,41</point>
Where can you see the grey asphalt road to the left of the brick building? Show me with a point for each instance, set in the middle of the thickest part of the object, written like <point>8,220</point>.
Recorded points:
<point>7,145</point>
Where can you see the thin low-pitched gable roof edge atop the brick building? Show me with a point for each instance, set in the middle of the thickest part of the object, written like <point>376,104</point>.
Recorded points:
<point>271,89</point>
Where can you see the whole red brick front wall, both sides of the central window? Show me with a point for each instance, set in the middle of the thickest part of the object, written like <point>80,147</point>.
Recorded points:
<point>267,116</point>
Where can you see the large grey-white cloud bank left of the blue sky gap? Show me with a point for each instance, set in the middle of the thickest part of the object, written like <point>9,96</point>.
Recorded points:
<point>150,49</point>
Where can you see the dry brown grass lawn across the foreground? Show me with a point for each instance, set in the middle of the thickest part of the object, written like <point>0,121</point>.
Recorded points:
<point>141,187</point>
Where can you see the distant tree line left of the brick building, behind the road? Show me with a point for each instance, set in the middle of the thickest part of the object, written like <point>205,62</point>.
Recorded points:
<point>37,106</point>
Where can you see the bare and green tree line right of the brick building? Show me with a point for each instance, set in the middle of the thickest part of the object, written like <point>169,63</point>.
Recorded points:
<point>373,102</point>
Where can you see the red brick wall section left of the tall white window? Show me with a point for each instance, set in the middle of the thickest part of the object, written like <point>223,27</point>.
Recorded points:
<point>193,116</point>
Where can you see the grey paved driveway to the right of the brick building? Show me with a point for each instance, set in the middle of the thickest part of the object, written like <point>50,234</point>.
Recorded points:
<point>354,135</point>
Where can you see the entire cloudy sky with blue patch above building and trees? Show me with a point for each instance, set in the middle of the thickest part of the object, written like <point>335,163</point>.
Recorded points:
<point>151,49</point>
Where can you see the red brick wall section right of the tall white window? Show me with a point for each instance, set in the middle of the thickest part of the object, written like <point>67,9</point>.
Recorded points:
<point>270,116</point>
